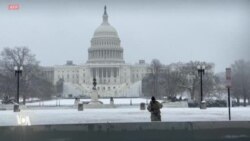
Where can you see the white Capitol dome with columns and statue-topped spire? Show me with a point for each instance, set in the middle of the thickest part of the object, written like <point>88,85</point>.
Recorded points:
<point>105,44</point>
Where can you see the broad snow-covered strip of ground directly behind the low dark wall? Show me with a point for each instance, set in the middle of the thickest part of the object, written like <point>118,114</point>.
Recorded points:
<point>132,114</point>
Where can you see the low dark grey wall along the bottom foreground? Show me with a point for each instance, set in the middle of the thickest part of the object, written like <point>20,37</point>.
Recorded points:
<point>156,131</point>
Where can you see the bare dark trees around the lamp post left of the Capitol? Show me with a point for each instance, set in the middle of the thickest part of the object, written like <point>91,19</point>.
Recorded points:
<point>32,81</point>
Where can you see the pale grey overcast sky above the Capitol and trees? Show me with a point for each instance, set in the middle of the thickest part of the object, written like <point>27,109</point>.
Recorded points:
<point>171,30</point>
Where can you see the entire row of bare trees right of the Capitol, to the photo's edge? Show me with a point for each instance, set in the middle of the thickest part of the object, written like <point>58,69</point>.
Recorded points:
<point>177,78</point>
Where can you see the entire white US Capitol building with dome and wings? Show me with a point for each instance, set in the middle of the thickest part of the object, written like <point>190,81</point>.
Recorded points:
<point>105,62</point>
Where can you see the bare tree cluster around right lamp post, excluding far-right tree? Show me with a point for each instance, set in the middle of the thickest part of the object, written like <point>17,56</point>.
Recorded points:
<point>173,79</point>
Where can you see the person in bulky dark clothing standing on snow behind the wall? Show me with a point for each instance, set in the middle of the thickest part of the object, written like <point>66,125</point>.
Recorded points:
<point>154,108</point>
